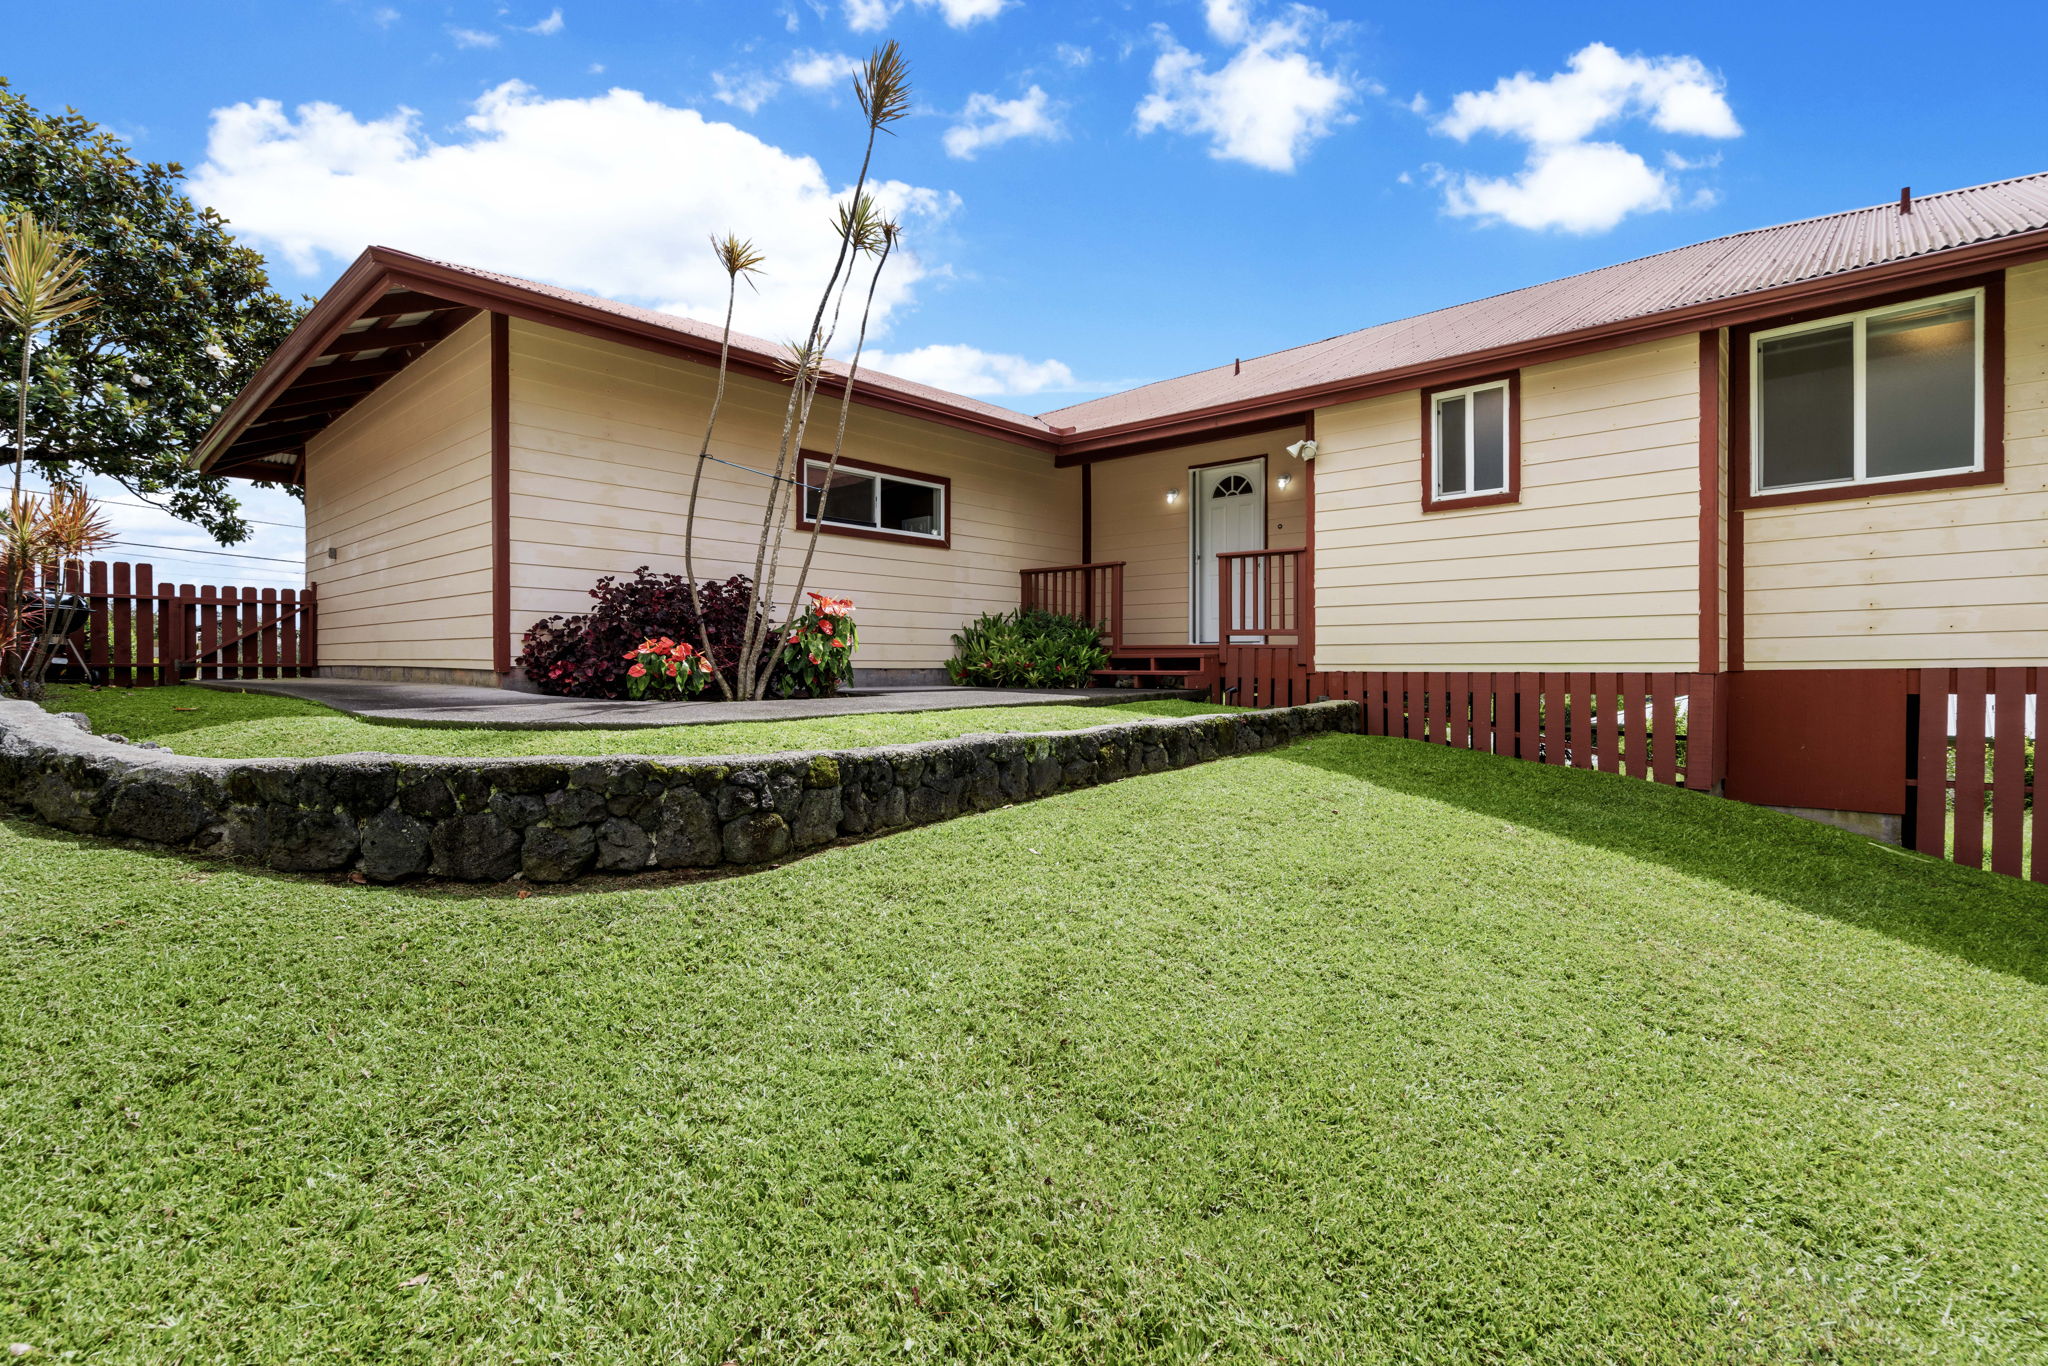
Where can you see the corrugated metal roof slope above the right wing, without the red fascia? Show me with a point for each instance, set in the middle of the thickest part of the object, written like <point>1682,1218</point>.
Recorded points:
<point>1693,275</point>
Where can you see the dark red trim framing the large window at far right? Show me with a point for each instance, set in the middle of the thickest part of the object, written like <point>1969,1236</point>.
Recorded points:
<point>1994,380</point>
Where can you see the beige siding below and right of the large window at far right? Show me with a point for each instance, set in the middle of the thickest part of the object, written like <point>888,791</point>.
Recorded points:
<point>1945,579</point>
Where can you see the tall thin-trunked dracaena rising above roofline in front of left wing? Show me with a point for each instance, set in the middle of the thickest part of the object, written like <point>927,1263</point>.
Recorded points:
<point>865,239</point>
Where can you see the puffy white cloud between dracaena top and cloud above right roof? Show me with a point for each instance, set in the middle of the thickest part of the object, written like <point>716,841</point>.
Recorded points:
<point>1267,105</point>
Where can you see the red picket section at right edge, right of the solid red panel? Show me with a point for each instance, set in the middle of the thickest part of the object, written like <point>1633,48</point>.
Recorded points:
<point>1971,763</point>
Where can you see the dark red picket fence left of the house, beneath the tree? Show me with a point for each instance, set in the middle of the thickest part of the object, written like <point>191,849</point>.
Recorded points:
<point>140,634</point>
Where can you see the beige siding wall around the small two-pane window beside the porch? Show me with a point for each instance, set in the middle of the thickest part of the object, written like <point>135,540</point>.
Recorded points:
<point>1596,566</point>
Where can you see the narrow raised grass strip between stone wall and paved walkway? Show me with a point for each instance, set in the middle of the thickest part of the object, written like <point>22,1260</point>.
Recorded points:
<point>247,726</point>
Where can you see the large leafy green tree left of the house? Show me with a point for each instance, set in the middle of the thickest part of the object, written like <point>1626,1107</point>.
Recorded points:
<point>183,318</point>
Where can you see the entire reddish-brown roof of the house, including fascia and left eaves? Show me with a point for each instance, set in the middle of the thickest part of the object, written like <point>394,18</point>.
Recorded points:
<point>1691,288</point>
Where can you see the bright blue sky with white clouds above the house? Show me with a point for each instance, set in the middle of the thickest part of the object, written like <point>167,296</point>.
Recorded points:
<point>1095,194</point>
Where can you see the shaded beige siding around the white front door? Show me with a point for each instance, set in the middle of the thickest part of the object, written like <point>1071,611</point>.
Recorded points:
<point>1138,525</point>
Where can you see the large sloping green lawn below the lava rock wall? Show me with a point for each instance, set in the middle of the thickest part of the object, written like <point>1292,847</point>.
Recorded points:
<point>1359,1052</point>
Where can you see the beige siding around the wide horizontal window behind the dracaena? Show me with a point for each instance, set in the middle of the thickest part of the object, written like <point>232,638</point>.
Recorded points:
<point>603,445</point>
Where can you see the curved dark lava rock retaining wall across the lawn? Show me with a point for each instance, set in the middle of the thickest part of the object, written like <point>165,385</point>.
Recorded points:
<point>560,818</point>
